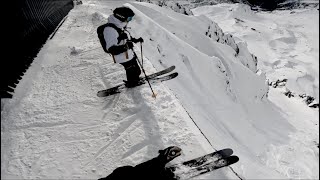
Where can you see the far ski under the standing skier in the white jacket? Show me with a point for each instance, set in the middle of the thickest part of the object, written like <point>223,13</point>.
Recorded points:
<point>151,76</point>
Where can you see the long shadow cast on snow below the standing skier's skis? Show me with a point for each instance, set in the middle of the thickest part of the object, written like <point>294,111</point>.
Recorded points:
<point>150,125</point>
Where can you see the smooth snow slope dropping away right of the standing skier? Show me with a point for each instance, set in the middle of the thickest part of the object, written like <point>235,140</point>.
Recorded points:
<point>224,97</point>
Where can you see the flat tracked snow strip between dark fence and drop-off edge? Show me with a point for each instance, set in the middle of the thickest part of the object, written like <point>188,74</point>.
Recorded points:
<point>64,131</point>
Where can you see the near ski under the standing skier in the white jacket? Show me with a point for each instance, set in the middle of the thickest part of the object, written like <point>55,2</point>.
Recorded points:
<point>121,87</point>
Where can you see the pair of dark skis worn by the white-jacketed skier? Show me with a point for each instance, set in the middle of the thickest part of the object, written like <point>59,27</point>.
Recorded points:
<point>153,78</point>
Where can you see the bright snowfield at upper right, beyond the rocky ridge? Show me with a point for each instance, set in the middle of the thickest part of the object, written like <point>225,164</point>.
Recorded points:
<point>285,41</point>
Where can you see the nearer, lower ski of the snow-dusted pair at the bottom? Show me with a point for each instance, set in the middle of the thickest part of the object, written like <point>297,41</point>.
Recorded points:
<point>190,172</point>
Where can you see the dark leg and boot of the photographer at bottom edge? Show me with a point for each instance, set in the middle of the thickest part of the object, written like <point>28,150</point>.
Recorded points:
<point>152,169</point>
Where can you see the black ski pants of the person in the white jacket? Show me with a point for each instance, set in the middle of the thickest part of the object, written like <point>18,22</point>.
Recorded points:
<point>132,70</point>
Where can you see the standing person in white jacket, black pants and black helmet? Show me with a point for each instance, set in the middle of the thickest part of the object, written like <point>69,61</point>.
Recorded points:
<point>120,46</point>
